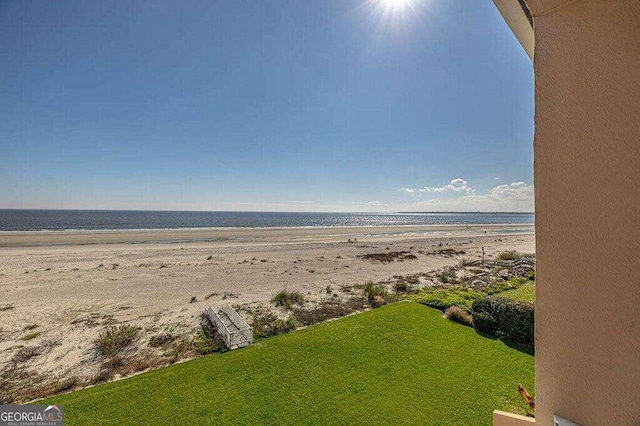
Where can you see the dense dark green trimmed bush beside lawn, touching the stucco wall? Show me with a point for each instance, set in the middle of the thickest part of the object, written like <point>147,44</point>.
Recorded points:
<point>504,318</point>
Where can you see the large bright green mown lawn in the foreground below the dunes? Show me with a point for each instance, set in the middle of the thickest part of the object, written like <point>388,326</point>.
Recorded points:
<point>398,364</point>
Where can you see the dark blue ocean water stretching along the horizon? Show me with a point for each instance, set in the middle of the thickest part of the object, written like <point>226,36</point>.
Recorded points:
<point>57,220</point>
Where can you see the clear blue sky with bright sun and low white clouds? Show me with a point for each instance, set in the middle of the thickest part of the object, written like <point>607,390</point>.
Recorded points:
<point>315,105</point>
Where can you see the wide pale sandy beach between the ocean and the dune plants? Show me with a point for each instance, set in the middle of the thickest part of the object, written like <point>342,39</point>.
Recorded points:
<point>65,287</point>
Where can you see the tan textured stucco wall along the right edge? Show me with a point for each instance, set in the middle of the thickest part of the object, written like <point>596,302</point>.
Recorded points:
<point>587,181</point>
